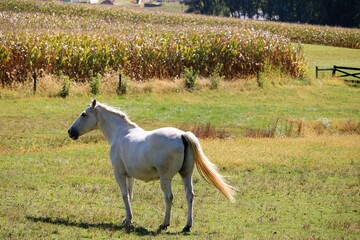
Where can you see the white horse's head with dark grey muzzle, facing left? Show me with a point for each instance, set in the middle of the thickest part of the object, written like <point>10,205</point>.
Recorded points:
<point>85,123</point>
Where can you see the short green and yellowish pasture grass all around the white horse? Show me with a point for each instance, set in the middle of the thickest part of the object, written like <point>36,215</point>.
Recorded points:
<point>304,187</point>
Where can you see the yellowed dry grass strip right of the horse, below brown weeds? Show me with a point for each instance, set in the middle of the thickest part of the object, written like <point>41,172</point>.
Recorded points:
<point>308,152</point>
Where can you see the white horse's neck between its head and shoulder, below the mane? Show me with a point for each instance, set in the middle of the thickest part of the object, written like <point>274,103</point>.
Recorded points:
<point>110,124</point>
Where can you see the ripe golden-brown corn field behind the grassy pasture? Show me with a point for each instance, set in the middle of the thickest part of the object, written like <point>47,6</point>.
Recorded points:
<point>82,41</point>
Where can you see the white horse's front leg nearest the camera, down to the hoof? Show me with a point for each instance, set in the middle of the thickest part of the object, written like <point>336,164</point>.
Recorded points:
<point>122,182</point>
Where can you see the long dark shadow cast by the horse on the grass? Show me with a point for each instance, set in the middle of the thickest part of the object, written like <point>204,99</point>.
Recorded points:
<point>138,230</point>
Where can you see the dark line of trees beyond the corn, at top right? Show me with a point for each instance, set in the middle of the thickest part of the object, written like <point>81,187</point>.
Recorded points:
<point>345,13</point>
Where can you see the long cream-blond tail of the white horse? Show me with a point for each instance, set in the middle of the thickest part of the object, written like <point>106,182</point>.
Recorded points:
<point>207,169</point>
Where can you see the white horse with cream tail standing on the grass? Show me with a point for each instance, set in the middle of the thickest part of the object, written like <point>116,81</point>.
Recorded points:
<point>149,155</point>
